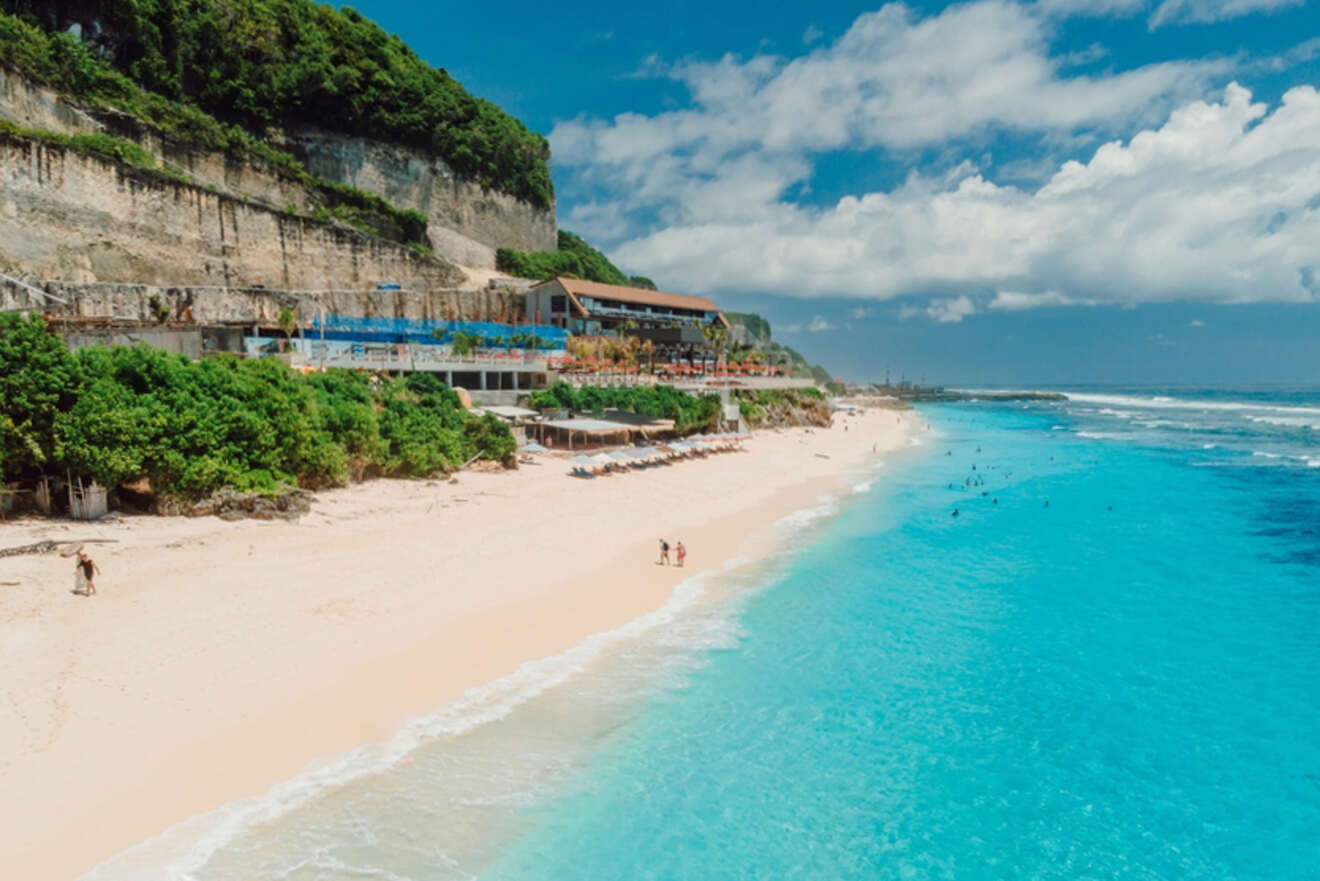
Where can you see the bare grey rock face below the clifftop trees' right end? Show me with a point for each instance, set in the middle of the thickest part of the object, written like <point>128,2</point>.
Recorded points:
<point>468,220</point>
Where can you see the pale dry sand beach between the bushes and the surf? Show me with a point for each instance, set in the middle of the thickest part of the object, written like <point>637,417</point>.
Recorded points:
<point>241,654</point>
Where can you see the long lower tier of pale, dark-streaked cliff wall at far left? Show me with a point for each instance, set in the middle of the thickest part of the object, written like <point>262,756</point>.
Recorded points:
<point>84,219</point>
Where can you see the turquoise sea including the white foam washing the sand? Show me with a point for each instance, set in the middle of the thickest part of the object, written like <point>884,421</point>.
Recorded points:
<point>1124,684</point>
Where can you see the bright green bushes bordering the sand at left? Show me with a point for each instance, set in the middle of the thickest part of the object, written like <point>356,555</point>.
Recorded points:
<point>192,427</point>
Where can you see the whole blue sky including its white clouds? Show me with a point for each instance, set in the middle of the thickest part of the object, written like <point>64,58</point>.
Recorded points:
<point>1000,194</point>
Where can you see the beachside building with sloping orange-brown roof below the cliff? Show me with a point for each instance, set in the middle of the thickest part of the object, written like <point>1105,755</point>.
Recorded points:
<point>592,308</point>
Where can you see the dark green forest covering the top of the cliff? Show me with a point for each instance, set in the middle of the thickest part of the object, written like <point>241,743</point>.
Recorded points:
<point>183,65</point>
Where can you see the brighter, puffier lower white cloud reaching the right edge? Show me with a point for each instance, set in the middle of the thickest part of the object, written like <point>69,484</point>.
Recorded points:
<point>1222,203</point>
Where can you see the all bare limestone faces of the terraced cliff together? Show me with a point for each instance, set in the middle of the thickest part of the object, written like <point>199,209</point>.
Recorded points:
<point>90,223</point>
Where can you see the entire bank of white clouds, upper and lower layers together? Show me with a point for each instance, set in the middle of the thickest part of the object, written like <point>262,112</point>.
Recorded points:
<point>1212,200</point>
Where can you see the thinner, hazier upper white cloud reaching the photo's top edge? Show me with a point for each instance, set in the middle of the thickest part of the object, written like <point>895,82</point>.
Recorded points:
<point>894,81</point>
